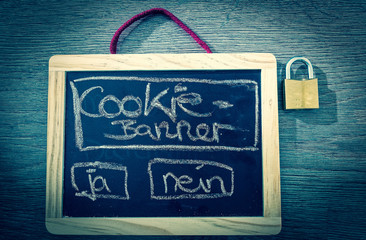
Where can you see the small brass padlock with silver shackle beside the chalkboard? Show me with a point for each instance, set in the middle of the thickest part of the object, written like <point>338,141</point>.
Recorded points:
<point>300,94</point>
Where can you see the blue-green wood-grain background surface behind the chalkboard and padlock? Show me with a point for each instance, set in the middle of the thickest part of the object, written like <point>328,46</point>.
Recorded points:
<point>322,152</point>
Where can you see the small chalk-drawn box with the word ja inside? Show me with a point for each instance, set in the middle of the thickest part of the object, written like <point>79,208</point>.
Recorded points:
<point>98,177</point>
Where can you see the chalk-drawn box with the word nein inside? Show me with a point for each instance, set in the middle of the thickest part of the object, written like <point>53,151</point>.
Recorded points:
<point>189,179</point>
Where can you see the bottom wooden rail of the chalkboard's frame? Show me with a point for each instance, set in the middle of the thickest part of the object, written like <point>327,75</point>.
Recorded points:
<point>165,226</point>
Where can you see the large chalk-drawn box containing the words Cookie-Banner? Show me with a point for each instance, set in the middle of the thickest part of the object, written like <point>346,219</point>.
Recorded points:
<point>192,118</point>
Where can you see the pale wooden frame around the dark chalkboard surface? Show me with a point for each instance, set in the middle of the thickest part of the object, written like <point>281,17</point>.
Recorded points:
<point>270,223</point>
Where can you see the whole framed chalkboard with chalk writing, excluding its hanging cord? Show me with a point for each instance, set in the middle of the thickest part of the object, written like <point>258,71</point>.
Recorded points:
<point>191,139</point>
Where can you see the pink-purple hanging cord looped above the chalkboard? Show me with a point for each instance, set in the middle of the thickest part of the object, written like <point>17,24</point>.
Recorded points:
<point>113,46</point>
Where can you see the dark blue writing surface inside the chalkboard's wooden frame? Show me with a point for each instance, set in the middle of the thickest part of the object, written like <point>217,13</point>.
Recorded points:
<point>163,143</point>
